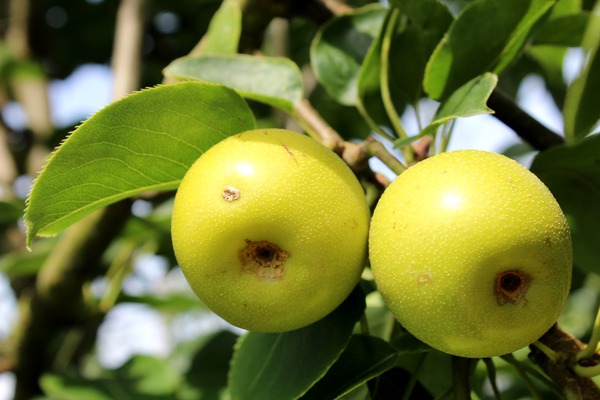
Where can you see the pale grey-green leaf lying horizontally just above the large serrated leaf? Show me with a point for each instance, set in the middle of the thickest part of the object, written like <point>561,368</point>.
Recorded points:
<point>272,80</point>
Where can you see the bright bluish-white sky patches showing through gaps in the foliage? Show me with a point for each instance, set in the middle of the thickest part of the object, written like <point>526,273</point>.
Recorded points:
<point>131,329</point>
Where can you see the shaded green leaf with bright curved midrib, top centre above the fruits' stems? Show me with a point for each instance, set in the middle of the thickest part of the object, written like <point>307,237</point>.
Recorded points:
<point>418,25</point>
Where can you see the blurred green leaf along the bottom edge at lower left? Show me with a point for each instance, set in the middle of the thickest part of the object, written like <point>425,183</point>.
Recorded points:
<point>141,378</point>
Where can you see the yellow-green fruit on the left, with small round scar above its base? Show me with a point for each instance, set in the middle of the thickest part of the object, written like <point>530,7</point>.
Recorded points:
<point>270,229</point>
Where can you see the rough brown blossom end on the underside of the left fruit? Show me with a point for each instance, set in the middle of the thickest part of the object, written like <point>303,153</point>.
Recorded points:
<point>264,259</point>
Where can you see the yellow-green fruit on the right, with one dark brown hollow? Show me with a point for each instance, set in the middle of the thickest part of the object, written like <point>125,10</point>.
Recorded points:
<point>471,253</point>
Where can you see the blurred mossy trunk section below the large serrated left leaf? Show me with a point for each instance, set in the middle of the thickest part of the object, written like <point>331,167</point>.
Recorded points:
<point>57,303</point>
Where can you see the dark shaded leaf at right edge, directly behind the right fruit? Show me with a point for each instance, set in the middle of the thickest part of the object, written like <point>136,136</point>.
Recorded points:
<point>572,172</point>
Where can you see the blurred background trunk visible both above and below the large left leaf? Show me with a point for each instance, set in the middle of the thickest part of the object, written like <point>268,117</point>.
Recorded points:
<point>56,303</point>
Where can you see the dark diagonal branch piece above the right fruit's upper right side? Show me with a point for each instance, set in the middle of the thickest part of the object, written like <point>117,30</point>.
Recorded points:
<point>524,125</point>
